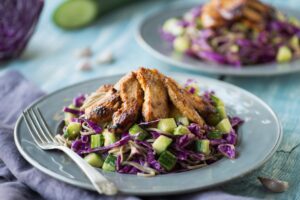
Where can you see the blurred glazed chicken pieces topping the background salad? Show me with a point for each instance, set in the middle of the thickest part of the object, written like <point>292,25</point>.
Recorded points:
<point>218,13</point>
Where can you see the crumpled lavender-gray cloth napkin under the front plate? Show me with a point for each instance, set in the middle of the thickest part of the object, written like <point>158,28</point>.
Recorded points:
<point>20,180</point>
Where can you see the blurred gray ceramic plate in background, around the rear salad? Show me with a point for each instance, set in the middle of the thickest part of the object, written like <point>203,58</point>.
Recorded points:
<point>149,38</point>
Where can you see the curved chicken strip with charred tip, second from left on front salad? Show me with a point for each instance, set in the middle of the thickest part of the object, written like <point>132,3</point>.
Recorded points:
<point>131,95</point>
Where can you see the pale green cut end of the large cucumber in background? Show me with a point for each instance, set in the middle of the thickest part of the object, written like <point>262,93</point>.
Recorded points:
<point>75,14</point>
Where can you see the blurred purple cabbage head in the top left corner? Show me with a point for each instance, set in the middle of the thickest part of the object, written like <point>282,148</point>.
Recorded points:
<point>17,24</point>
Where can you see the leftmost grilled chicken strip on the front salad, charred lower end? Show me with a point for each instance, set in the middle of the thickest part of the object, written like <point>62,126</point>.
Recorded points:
<point>103,109</point>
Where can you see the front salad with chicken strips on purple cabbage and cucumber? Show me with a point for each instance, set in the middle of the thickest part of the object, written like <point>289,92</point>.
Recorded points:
<point>147,124</point>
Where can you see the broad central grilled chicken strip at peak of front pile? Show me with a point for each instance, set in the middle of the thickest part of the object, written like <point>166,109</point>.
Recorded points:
<point>155,104</point>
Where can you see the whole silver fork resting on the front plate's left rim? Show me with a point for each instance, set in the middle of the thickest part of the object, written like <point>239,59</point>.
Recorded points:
<point>44,139</point>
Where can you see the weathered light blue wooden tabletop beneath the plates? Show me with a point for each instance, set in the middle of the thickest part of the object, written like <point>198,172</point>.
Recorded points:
<point>49,61</point>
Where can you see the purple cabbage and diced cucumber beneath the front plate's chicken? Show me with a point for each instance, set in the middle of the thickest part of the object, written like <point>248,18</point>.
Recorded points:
<point>161,146</point>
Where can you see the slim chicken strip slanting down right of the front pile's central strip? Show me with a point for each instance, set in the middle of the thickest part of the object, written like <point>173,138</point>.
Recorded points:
<point>182,102</point>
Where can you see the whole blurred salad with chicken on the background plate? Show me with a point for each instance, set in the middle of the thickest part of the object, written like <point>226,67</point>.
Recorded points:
<point>235,33</point>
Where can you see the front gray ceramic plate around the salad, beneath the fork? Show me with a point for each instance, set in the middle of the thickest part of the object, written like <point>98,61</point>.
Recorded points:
<point>259,138</point>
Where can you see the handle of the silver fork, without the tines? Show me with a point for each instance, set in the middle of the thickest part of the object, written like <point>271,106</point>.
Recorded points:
<point>101,184</point>
